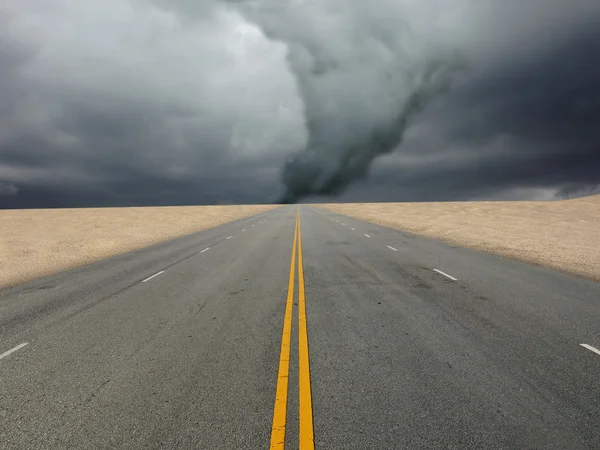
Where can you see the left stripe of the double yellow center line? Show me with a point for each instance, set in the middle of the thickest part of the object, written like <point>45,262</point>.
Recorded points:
<point>280,409</point>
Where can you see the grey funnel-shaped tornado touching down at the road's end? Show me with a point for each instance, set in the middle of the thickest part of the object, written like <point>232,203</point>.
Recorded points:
<point>362,79</point>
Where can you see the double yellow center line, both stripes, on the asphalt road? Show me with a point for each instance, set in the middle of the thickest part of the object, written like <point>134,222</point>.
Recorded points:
<point>306,434</point>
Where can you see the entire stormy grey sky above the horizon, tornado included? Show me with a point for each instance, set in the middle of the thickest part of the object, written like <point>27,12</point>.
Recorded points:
<point>175,102</point>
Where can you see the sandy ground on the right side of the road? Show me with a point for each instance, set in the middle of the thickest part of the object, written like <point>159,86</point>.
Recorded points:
<point>563,235</point>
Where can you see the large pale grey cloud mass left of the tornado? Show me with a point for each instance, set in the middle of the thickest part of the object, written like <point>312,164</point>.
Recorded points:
<point>125,103</point>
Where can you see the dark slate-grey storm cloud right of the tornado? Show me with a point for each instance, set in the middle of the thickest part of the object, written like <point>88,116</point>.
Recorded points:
<point>522,131</point>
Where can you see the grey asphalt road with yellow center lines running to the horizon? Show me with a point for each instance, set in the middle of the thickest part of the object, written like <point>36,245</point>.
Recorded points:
<point>395,341</point>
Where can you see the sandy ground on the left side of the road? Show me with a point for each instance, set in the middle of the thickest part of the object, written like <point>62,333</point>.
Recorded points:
<point>39,242</point>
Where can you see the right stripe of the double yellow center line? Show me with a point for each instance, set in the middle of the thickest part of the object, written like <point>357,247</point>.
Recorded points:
<point>305,396</point>
